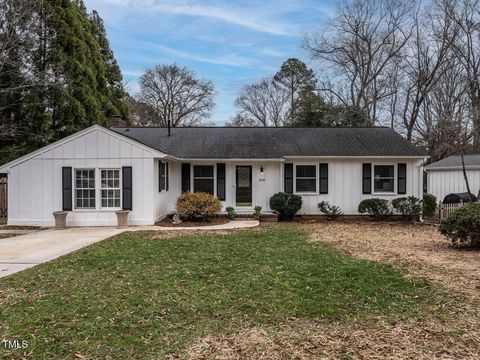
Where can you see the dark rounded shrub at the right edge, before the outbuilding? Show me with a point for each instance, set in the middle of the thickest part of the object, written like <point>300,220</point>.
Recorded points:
<point>462,226</point>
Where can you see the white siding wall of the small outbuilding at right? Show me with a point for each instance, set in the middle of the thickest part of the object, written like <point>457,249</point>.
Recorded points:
<point>443,182</point>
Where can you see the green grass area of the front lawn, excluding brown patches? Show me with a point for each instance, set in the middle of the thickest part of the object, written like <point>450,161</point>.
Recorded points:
<point>137,297</point>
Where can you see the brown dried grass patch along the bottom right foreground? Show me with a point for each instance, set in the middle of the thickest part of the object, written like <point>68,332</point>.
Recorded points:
<point>310,340</point>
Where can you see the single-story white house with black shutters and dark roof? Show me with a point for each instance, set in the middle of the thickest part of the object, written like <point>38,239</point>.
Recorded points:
<point>98,171</point>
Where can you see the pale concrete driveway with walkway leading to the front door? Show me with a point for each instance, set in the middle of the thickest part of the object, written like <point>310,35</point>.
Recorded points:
<point>25,251</point>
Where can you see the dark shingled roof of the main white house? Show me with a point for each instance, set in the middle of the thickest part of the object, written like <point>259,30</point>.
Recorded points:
<point>266,143</point>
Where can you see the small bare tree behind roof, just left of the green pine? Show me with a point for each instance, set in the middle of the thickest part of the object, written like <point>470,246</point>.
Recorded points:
<point>262,104</point>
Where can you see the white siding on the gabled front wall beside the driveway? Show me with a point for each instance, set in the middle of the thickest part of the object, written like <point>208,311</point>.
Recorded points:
<point>35,185</point>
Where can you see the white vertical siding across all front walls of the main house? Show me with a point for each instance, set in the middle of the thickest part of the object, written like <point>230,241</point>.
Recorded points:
<point>35,184</point>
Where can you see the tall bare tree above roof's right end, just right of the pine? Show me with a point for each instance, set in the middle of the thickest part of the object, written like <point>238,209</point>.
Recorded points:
<point>359,48</point>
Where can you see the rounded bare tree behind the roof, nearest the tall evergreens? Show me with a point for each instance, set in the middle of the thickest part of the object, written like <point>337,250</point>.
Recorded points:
<point>176,95</point>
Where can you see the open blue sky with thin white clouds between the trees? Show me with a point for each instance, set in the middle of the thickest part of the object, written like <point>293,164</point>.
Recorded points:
<point>231,43</point>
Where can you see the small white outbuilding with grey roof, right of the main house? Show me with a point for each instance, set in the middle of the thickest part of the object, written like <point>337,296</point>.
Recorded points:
<point>446,176</point>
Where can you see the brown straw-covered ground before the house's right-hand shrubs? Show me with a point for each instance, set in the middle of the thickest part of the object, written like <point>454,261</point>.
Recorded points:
<point>420,249</point>
